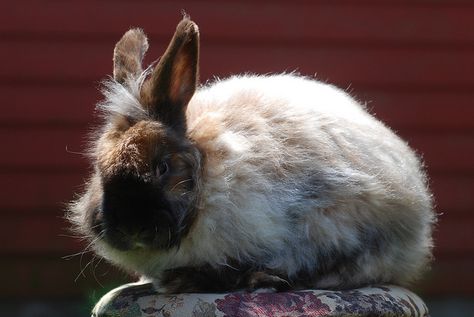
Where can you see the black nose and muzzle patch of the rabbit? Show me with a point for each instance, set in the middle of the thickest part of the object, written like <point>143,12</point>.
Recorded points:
<point>134,214</point>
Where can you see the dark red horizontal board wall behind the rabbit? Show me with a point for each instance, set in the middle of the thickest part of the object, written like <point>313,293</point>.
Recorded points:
<point>411,61</point>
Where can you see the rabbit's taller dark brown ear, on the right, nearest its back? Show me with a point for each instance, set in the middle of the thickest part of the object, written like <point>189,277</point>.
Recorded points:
<point>173,81</point>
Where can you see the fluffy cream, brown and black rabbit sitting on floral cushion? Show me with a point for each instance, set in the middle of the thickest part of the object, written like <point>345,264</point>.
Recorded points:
<point>255,181</point>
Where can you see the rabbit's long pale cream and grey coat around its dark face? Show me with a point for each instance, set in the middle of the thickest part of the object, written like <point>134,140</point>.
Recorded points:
<point>298,180</point>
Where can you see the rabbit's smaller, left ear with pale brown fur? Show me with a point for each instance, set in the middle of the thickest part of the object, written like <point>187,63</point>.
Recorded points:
<point>128,55</point>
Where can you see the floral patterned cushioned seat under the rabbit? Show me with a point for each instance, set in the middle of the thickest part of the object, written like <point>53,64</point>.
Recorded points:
<point>137,299</point>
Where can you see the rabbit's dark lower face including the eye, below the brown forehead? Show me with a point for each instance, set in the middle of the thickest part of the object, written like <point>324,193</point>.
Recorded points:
<point>150,210</point>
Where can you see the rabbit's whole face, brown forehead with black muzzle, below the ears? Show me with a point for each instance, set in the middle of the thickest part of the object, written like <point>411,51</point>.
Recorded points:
<point>147,188</point>
